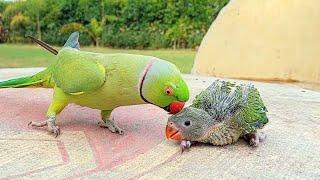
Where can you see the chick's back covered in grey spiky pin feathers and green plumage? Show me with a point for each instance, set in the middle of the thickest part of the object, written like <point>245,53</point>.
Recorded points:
<point>240,105</point>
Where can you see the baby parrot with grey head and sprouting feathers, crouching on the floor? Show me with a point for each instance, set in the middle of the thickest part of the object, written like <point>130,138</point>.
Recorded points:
<point>220,115</point>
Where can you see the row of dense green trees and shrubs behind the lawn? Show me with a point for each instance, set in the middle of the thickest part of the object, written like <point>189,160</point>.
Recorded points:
<point>116,23</point>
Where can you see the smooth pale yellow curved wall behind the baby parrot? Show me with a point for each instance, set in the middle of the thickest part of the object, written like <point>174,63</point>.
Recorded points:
<point>263,39</point>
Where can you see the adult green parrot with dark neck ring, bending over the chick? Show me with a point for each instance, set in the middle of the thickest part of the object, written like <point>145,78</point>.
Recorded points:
<point>104,82</point>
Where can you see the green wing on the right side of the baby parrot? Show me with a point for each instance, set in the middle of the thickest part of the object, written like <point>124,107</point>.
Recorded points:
<point>253,114</point>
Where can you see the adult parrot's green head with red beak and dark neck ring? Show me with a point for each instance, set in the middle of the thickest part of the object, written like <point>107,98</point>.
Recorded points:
<point>164,87</point>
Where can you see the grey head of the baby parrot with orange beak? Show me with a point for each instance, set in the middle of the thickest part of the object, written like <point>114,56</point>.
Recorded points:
<point>190,124</point>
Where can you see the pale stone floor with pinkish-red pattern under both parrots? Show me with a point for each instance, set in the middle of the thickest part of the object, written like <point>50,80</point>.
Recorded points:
<point>83,150</point>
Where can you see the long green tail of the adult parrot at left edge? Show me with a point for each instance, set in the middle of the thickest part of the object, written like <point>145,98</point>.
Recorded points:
<point>41,79</point>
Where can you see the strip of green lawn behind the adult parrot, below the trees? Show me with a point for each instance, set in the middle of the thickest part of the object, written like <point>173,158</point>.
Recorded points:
<point>17,55</point>
